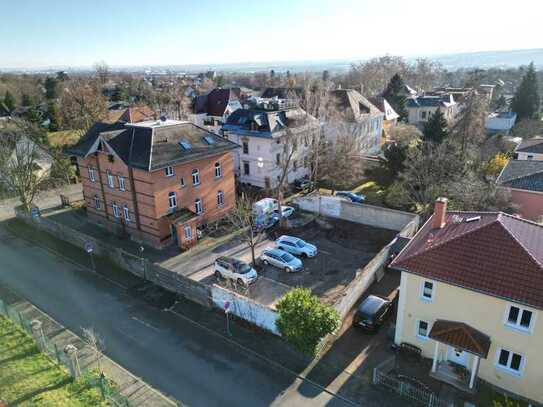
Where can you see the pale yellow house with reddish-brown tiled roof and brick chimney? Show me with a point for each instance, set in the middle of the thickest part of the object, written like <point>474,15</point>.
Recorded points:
<point>471,295</point>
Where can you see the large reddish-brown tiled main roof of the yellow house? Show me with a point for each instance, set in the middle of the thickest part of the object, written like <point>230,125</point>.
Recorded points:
<point>498,254</point>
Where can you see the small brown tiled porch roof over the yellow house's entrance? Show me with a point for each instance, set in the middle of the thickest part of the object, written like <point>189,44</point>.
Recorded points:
<point>462,336</point>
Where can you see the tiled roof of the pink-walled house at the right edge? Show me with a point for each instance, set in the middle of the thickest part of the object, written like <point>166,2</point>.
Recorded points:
<point>523,174</point>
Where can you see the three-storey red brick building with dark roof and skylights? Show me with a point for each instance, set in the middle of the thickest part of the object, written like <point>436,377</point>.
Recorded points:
<point>157,180</point>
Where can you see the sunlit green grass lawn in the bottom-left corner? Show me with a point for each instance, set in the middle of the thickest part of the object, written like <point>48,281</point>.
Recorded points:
<point>30,378</point>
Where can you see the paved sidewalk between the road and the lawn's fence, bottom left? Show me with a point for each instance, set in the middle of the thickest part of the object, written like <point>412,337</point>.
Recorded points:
<point>138,392</point>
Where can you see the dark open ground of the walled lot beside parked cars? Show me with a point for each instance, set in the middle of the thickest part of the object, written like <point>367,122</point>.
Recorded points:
<point>344,247</point>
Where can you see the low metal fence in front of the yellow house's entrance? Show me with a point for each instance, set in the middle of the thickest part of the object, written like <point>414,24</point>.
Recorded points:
<point>409,391</point>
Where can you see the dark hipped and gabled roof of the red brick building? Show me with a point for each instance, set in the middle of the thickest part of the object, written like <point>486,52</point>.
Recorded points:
<point>154,145</point>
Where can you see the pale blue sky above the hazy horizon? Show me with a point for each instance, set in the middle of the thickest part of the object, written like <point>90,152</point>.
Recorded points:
<point>81,32</point>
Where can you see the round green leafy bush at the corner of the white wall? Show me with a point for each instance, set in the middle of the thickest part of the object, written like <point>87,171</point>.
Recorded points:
<point>303,320</point>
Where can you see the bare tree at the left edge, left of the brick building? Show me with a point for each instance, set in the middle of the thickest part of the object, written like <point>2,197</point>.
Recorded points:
<point>24,163</point>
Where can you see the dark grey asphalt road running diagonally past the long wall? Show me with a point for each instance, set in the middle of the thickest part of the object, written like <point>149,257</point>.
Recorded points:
<point>172,354</point>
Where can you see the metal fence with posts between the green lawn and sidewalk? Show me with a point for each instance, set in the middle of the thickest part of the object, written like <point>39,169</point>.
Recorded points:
<point>66,356</point>
